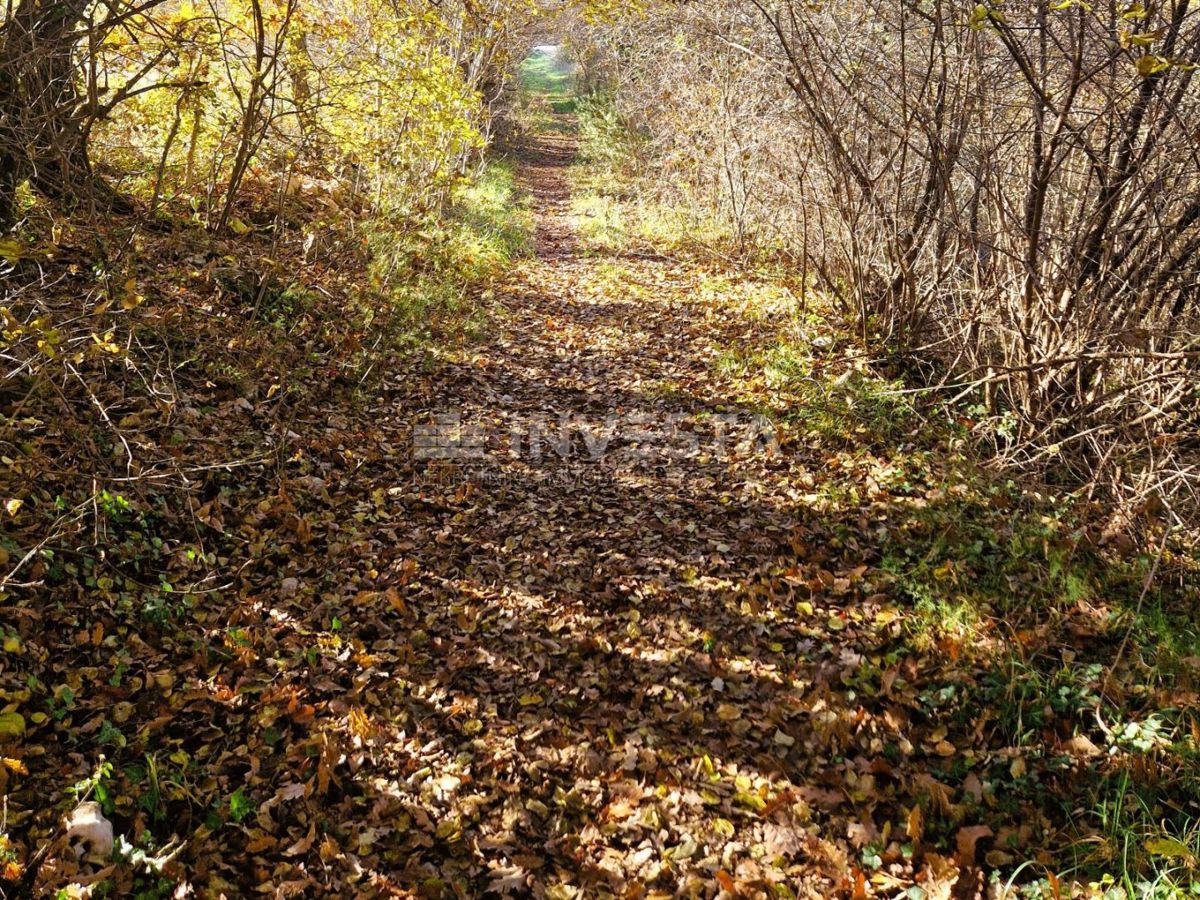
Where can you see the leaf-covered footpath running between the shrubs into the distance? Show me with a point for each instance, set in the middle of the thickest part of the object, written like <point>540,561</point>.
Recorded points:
<point>586,656</point>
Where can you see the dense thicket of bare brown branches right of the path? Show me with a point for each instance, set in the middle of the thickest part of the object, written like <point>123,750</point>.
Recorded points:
<point>1009,189</point>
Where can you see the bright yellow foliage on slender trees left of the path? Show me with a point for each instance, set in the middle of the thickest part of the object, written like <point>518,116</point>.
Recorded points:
<point>380,95</point>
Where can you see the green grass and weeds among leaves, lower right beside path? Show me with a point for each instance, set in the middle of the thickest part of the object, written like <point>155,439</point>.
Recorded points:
<point>1003,584</point>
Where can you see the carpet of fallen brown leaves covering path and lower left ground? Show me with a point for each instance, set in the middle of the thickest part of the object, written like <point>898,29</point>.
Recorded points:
<point>587,608</point>
